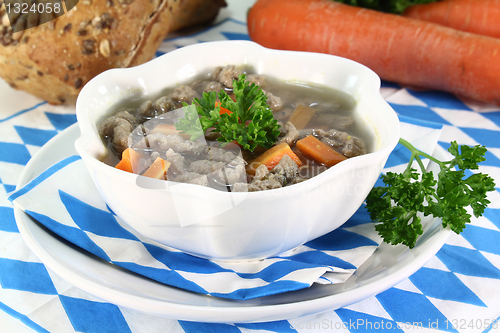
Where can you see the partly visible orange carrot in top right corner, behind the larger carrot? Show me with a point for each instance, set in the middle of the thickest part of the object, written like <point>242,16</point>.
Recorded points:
<point>476,16</point>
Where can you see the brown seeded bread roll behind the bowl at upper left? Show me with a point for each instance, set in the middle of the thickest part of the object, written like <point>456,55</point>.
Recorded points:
<point>56,59</point>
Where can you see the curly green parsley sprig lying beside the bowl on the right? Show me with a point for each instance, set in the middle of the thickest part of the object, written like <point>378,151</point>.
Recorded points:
<point>395,207</point>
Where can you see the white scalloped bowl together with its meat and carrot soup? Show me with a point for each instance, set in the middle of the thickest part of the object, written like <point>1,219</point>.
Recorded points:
<point>231,151</point>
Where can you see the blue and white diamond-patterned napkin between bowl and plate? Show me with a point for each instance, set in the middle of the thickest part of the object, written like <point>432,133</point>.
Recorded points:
<point>65,200</point>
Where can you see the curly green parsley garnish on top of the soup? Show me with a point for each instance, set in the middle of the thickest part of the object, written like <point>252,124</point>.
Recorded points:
<point>250,121</point>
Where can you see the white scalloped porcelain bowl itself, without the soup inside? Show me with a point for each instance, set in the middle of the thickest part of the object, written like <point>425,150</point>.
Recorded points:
<point>237,225</point>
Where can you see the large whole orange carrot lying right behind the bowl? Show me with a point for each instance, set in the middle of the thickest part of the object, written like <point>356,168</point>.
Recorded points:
<point>398,49</point>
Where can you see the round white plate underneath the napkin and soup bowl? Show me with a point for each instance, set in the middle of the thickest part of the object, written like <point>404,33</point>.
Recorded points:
<point>385,268</point>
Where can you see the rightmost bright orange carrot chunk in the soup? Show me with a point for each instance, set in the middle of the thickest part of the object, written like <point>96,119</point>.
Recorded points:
<point>318,151</point>
